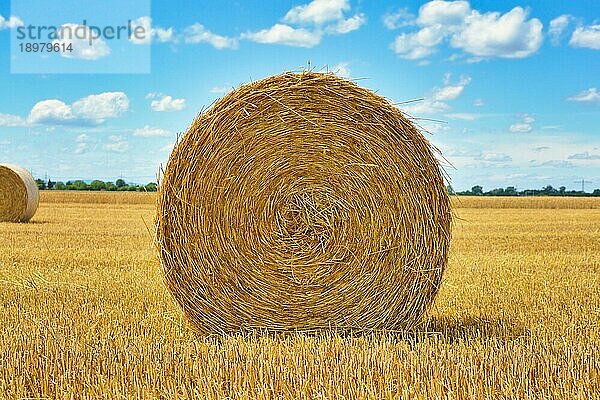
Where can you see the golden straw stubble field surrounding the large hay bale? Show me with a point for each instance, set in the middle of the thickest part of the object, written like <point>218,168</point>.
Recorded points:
<point>85,314</point>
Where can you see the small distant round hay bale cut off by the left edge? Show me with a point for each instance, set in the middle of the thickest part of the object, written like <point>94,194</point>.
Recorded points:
<point>19,195</point>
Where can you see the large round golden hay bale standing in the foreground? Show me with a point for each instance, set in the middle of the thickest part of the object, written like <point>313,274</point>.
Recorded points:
<point>303,202</point>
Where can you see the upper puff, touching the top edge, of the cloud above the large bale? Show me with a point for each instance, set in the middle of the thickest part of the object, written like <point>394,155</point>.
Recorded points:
<point>317,12</point>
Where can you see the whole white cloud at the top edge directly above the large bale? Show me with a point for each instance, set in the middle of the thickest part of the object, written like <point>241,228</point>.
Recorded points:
<point>305,25</point>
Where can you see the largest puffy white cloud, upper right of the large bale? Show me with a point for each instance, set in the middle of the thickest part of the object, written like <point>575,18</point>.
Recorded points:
<point>483,35</point>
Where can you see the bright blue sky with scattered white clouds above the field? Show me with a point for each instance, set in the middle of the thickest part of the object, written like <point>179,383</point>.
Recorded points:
<point>511,89</point>
